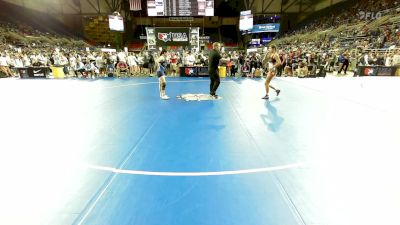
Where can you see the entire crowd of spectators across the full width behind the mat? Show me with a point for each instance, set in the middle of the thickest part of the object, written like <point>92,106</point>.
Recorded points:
<point>337,42</point>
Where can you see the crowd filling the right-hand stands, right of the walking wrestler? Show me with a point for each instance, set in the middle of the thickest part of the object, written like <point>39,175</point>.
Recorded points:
<point>344,40</point>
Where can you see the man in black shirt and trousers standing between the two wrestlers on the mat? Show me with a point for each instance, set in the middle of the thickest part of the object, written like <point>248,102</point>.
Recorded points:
<point>214,58</point>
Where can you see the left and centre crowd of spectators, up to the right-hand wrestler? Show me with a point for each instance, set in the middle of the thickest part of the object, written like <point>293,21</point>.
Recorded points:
<point>22,46</point>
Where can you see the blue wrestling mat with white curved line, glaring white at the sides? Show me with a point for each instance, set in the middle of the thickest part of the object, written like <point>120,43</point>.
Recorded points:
<point>111,152</point>
